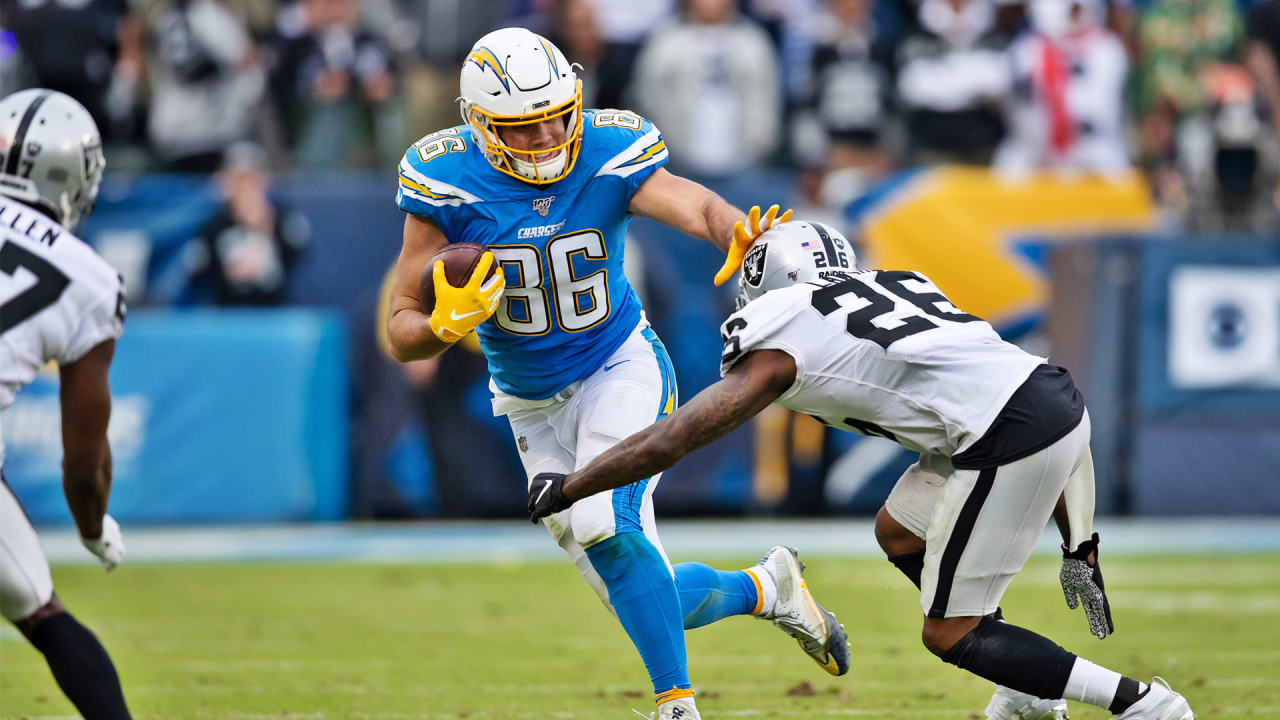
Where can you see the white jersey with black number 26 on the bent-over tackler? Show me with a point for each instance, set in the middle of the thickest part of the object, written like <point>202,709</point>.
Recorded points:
<point>885,353</point>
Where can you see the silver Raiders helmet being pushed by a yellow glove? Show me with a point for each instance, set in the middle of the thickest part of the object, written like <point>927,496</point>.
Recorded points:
<point>793,253</point>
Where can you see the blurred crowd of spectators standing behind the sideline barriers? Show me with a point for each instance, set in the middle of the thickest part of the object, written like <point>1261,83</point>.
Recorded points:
<point>843,92</point>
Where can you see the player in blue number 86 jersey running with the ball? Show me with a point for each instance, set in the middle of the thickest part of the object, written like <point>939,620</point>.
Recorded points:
<point>551,189</point>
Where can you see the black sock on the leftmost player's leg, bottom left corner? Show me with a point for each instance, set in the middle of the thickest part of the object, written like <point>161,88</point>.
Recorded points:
<point>81,667</point>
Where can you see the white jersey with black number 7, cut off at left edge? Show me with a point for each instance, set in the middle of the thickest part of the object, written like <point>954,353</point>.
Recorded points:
<point>58,298</point>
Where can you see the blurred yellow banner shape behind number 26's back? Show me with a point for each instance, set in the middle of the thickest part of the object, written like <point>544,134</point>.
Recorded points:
<point>962,229</point>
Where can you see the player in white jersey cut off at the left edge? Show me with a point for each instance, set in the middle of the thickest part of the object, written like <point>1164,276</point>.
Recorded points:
<point>60,303</point>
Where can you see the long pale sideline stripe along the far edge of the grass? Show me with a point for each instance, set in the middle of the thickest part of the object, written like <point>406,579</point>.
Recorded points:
<point>515,543</point>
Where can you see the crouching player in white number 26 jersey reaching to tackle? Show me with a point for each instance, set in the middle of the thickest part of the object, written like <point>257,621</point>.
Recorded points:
<point>1003,438</point>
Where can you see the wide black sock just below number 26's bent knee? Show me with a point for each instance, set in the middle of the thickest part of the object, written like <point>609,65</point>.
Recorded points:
<point>1014,658</point>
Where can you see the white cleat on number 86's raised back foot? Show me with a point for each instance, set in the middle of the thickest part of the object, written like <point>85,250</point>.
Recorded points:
<point>799,616</point>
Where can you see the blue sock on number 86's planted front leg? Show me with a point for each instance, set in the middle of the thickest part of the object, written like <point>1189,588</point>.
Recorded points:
<point>643,594</point>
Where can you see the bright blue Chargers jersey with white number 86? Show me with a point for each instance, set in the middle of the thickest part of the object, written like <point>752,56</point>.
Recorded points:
<point>569,304</point>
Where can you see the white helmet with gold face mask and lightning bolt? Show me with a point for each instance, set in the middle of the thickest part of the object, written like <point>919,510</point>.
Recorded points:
<point>515,78</point>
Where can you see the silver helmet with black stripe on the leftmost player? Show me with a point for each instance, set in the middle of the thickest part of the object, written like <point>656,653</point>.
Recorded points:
<point>51,154</point>
